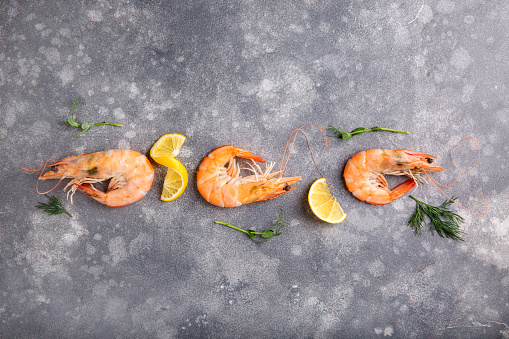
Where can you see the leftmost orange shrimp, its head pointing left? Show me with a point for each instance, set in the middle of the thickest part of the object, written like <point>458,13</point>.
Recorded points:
<point>130,174</point>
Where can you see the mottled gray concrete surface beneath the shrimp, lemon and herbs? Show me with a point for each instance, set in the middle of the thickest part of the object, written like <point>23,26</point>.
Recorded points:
<point>248,73</point>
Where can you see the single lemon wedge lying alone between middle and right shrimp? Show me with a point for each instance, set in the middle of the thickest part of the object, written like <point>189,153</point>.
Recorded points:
<point>323,204</point>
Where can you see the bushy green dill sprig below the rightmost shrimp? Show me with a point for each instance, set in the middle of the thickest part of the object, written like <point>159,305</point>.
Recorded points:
<point>443,221</point>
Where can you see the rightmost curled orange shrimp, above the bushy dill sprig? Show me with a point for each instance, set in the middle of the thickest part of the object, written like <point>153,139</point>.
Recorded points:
<point>364,173</point>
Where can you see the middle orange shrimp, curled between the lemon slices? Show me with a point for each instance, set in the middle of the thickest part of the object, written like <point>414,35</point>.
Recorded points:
<point>223,186</point>
